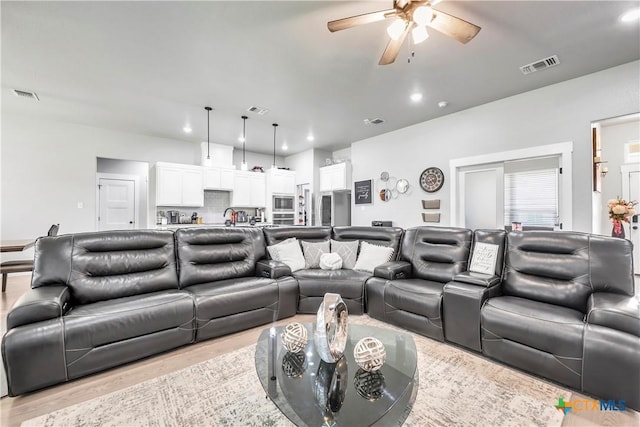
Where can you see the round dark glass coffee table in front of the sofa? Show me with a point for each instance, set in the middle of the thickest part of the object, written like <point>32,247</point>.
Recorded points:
<point>311,392</point>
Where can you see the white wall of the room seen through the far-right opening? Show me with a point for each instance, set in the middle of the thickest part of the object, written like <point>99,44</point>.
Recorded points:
<point>613,140</point>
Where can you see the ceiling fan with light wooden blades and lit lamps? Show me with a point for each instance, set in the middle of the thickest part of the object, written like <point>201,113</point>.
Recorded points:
<point>414,17</point>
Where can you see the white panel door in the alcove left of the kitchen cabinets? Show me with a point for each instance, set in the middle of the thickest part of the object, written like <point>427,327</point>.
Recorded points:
<point>117,204</point>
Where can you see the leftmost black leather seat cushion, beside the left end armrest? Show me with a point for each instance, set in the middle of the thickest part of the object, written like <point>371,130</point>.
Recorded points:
<point>93,325</point>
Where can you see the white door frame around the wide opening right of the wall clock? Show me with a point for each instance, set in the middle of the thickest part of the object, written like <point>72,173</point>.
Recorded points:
<point>564,150</point>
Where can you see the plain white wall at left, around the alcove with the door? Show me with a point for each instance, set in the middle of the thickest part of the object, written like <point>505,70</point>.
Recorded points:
<point>49,167</point>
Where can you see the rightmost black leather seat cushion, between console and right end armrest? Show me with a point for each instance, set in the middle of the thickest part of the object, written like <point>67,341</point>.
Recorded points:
<point>550,328</point>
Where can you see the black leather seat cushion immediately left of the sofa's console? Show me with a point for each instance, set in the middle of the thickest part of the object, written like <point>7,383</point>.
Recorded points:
<point>417,296</point>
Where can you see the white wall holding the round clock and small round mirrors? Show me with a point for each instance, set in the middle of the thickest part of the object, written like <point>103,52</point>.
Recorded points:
<point>558,113</point>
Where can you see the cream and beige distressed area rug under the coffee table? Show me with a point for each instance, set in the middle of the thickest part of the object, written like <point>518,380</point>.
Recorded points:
<point>456,389</point>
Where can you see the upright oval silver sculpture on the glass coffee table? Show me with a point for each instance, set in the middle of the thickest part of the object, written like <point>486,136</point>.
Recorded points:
<point>331,328</point>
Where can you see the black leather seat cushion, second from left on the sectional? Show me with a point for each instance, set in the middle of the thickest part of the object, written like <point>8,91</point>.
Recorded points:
<point>232,296</point>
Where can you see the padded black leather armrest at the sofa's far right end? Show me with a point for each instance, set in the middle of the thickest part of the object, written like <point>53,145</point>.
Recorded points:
<point>616,311</point>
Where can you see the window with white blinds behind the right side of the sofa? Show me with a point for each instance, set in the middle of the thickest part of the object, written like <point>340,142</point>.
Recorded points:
<point>531,197</point>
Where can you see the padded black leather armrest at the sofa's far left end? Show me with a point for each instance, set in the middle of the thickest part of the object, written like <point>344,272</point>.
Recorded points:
<point>36,305</point>
